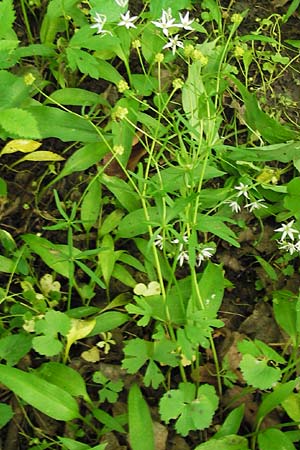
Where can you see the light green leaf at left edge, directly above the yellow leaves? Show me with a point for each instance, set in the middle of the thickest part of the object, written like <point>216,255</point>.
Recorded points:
<point>20,123</point>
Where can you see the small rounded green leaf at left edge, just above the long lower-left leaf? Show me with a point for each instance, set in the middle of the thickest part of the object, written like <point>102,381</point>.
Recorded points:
<point>14,347</point>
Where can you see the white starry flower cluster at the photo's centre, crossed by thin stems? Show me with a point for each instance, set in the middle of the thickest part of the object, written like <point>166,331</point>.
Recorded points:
<point>204,251</point>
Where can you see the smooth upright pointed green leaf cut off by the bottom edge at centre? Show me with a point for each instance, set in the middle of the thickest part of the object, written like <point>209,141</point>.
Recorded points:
<point>139,421</point>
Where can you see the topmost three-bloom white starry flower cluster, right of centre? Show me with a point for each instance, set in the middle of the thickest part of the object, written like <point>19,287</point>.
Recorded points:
<point>167,22</point>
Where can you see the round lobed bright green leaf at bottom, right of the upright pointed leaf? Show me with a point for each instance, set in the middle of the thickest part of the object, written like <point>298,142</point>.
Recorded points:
<point>193,410</point>
